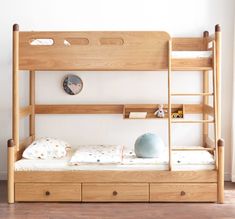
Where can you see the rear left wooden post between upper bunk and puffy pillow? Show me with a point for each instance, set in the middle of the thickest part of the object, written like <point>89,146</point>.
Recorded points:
<point>32,103</point>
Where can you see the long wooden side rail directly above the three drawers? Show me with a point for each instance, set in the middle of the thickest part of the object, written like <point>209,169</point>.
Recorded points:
<point>116,176</point>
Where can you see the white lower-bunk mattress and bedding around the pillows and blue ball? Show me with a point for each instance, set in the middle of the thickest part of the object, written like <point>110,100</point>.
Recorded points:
<point>182,160</point>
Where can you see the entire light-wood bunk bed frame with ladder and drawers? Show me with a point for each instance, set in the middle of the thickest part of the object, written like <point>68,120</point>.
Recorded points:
<point>117,51</point>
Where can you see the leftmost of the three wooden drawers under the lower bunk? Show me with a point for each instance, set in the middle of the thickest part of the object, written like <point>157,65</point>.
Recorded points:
<point>48,192</point>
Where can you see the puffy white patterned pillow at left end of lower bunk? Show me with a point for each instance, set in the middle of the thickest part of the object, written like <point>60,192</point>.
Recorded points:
<point>46,148</point>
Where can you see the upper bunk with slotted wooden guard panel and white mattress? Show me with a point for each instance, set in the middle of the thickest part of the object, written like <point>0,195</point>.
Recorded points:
<point>111,51</point>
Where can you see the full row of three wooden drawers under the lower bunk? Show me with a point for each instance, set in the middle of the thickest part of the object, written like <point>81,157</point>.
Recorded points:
<point>116,192</point>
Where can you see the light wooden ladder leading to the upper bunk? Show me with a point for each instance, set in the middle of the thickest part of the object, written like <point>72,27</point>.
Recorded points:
<point>203,121</point>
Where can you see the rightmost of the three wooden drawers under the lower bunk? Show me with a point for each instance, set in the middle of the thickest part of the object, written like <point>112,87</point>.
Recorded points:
<point>183,192</point>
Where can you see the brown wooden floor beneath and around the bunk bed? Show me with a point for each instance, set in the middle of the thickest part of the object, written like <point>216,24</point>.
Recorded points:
<point>119,210</point>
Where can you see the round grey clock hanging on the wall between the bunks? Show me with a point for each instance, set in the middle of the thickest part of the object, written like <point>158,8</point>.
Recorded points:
<point>72,84</point>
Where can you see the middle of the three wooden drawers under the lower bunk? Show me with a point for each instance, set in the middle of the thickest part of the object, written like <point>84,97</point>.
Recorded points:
<point>115,192</point>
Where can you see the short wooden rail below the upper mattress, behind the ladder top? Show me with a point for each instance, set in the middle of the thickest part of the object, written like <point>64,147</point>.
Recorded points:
<point>192,64</point>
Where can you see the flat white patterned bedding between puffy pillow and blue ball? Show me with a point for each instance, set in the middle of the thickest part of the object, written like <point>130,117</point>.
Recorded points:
<point>97,154</point>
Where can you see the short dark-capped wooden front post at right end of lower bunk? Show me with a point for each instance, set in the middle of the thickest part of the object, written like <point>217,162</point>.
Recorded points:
<point>220,180</point>
